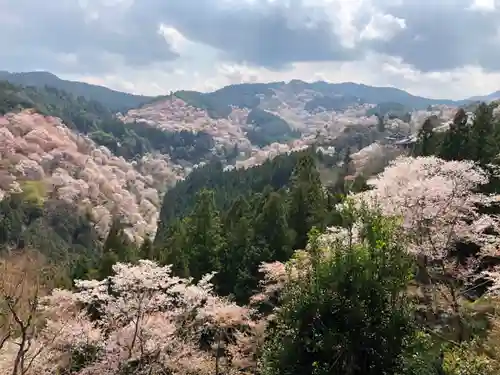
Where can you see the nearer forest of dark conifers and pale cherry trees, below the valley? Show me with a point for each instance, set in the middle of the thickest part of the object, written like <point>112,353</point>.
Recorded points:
<point>269,270</point>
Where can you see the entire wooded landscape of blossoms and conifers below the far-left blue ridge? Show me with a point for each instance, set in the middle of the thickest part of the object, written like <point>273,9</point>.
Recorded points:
<point>116,260</point>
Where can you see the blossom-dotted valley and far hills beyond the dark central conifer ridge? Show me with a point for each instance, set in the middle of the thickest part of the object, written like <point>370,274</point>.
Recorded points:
<point>122,164</point>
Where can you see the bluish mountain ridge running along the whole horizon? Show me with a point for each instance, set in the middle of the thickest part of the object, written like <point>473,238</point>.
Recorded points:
<point>122,101</point>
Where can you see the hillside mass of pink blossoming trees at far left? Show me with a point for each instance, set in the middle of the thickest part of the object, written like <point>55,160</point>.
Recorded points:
<point>75,169</point>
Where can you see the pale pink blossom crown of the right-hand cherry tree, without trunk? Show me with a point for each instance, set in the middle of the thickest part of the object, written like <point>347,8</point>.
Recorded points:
<point>436,200</point>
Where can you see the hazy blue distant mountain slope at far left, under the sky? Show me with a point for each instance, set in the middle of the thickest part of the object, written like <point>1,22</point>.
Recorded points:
<point>114,100</point>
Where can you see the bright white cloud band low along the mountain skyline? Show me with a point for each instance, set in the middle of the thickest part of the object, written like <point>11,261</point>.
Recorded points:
<point>377,70</point>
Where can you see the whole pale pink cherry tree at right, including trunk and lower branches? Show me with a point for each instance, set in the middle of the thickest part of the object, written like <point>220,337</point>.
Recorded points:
<point>438,203</point>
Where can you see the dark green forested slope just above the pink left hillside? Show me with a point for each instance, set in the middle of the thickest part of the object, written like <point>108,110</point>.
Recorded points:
<point>100,124</point>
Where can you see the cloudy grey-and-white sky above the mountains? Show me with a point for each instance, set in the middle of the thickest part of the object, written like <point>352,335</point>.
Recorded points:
<point>435,48</point>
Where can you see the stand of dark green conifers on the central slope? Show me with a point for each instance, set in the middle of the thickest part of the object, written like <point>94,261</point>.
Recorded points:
<point>232,221</point>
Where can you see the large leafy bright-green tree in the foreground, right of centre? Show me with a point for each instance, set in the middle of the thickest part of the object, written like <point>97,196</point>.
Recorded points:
<point>349,314</point>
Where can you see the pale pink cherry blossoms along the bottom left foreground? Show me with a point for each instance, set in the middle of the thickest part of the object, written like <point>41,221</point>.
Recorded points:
<point>143,318</point>
